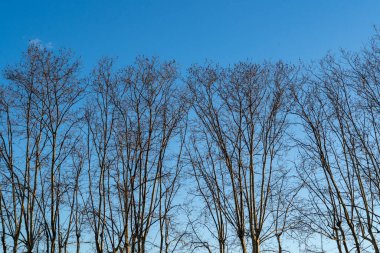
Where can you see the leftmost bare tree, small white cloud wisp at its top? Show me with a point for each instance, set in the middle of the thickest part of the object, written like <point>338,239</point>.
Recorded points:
<point>38,138</point>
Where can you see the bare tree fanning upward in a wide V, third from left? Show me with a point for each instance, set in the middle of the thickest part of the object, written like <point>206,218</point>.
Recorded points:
<point>242,114</point>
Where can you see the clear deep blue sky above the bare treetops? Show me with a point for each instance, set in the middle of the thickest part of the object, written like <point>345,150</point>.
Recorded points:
<point>188,30</point>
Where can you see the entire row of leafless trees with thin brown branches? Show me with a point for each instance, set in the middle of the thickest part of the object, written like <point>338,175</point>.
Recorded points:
<point>244,158</point>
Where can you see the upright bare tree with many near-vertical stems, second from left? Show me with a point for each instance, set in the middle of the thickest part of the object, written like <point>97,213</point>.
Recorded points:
<point>137,113</point>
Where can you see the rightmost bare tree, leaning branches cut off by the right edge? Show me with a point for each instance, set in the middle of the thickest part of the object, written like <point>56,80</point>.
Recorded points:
<point>337,109</point>
